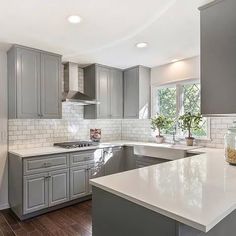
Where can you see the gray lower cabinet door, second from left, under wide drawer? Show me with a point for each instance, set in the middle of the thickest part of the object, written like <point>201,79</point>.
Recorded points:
<point>58,187</point>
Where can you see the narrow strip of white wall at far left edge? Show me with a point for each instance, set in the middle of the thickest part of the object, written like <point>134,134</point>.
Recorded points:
<point>3,130</point>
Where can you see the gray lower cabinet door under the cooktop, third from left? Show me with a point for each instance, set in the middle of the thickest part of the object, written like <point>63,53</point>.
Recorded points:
<point>78,181</point>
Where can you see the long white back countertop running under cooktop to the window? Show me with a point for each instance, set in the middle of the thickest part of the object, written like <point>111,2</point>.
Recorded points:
<point>30,152</point>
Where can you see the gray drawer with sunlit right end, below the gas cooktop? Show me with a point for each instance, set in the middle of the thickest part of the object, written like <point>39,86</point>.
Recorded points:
<point>82,158</point>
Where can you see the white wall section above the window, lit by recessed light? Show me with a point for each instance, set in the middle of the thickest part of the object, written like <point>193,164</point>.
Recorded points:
<point>177,71</point>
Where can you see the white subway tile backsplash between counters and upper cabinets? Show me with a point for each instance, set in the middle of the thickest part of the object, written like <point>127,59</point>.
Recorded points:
<point>31,133</point>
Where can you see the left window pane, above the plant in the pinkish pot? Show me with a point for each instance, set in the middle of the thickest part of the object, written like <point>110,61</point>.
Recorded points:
<point>167,101</point>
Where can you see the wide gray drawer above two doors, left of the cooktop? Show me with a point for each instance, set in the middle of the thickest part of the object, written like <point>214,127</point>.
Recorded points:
<point>45,163</point>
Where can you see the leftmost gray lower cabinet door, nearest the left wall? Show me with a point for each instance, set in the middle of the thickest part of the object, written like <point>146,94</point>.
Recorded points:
<point>35,193</point>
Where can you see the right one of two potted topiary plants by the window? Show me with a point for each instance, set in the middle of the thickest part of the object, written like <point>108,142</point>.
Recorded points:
<point>190,122</point>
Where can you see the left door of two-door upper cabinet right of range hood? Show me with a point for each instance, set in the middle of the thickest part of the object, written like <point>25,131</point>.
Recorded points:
<point>103,92</point>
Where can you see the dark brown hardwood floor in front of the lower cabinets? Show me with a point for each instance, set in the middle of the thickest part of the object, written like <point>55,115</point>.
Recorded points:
<point>72,220</point>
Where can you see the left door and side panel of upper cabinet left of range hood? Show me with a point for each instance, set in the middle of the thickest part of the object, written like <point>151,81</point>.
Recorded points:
<point>24,94</point>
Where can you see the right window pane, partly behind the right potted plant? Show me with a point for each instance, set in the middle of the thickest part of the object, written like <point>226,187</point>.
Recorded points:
<point>191,103</point>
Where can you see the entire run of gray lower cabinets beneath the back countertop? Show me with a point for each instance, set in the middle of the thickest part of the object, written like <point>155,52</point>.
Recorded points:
<point>39,184</point>
